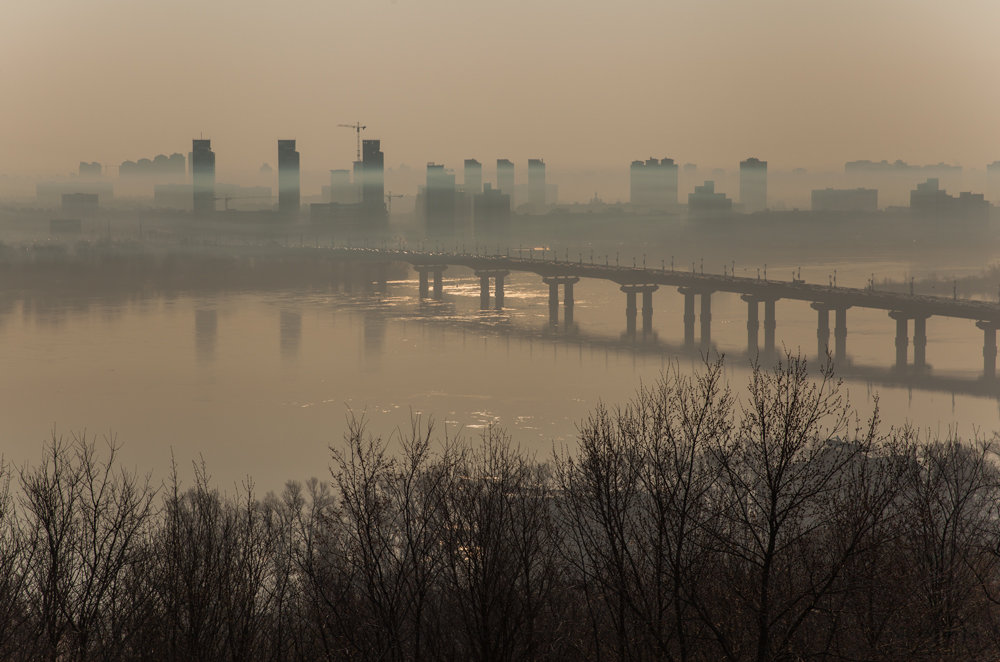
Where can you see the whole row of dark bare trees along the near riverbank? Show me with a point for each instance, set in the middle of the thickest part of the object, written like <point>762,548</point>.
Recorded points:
<point>685,524</point>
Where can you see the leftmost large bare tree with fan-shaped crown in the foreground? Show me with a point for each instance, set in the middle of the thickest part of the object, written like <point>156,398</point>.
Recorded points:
<point>87,518</point>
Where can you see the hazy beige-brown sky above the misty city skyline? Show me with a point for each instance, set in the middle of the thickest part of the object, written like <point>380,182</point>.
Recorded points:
<point>578,83</point>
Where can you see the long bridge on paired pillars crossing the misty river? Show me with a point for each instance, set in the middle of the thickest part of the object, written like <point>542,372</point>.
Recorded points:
<point>635,281</point>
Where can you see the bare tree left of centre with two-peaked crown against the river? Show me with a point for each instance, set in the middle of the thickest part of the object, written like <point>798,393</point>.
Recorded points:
<point>390,508</point>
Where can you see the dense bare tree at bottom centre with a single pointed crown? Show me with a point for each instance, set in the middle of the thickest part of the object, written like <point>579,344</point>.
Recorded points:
<point>499,565</point>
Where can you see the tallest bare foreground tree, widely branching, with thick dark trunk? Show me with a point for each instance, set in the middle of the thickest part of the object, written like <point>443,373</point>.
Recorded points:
<point>802,486</point>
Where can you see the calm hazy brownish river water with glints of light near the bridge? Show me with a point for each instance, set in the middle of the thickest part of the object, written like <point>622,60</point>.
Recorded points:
<point>259,383</point>
